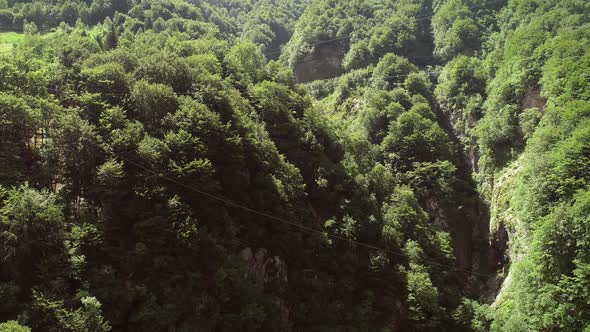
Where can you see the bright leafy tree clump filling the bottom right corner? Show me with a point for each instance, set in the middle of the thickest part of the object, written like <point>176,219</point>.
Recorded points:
<point>556,265</point>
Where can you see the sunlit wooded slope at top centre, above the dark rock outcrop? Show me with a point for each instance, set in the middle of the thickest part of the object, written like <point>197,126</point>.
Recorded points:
<point>360,31</point>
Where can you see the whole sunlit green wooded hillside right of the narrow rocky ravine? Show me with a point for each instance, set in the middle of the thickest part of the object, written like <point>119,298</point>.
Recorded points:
<point>545,193</point>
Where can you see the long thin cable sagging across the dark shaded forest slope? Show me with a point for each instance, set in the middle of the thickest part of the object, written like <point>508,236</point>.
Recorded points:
<point>295,224</point>
